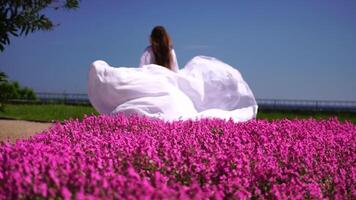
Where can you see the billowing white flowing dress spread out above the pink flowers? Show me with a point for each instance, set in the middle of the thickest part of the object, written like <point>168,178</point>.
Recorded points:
<point>205,88</point>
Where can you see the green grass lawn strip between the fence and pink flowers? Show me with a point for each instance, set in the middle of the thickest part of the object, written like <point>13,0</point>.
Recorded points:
<point>60,112</point>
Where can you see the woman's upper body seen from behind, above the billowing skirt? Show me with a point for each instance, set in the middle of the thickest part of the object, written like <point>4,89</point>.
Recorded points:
<point>160,52</point>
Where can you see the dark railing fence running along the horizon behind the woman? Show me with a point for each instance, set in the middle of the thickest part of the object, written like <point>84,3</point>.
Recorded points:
<point>265,104</point>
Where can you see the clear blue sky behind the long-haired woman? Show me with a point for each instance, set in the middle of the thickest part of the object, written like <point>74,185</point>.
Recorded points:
<point>303,49</point>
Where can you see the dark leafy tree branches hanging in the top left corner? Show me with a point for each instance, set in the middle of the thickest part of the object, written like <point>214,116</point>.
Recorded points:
<point>21,17</point>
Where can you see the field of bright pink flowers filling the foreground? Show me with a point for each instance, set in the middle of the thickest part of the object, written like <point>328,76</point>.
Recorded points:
<point>118,157</point>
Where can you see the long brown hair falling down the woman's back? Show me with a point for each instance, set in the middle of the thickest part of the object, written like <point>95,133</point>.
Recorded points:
<point>161,45</point>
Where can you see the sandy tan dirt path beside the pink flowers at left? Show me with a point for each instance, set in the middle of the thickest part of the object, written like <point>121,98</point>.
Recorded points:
<point>14,129</point>
